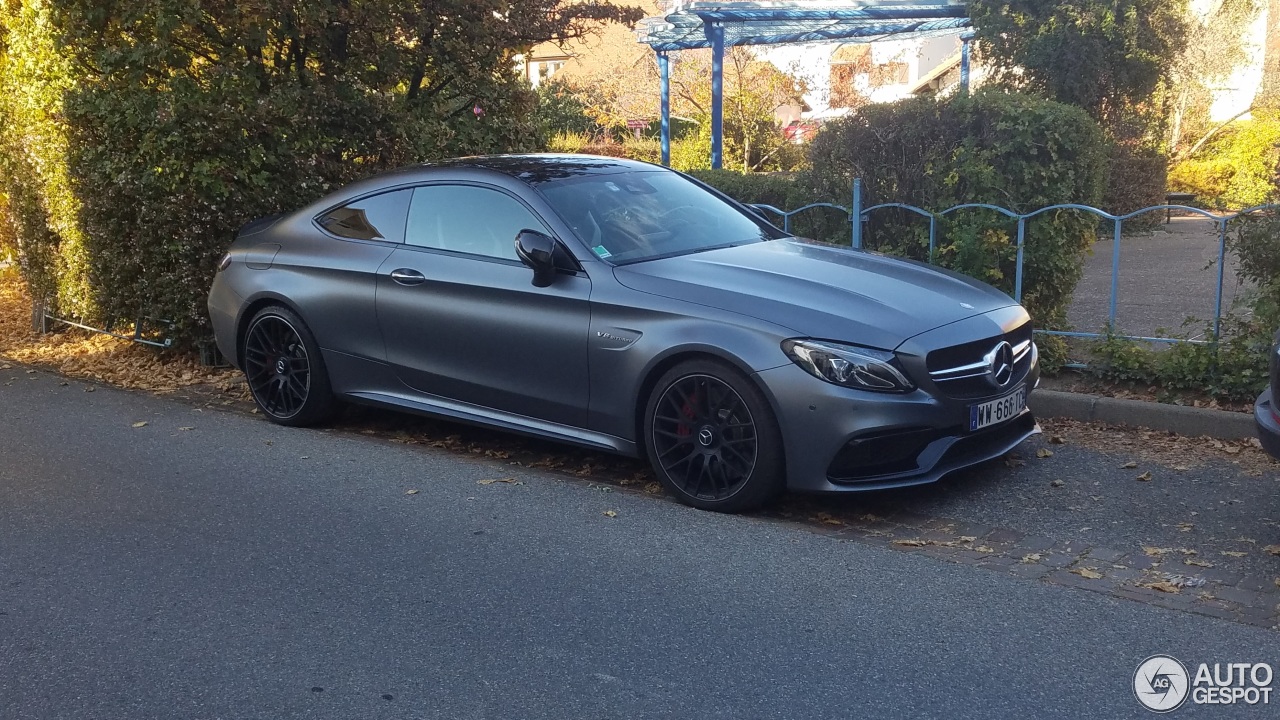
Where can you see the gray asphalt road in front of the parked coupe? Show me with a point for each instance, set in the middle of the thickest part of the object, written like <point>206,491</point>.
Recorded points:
<point>213,566</point>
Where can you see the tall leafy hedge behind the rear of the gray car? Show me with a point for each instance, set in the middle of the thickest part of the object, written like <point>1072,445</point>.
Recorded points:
<point>136,138</point>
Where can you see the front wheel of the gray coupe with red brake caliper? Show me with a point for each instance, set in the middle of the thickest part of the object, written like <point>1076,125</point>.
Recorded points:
<point>714,440</point>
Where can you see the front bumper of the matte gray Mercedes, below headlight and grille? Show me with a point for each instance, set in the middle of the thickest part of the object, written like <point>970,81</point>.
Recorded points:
<point>840,440</point>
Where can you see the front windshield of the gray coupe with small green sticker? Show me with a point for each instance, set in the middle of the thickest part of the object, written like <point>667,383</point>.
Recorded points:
<point>642,216</point>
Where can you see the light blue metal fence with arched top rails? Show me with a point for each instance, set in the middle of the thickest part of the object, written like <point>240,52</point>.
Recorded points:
<point>1222,221</point>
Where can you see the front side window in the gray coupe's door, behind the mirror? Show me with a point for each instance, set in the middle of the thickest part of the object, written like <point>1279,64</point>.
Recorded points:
<point>469,220</point>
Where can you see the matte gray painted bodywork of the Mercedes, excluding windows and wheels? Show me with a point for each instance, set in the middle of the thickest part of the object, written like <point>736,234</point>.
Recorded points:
<point>478,343</point>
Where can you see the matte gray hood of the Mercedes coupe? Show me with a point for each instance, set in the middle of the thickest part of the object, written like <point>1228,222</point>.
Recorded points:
<point>820,291</point>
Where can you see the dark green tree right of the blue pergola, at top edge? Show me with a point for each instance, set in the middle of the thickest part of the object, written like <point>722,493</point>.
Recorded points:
<point>1103,56</point>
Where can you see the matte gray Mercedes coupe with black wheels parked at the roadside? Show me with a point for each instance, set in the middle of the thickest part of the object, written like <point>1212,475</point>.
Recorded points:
<point>628,308</point>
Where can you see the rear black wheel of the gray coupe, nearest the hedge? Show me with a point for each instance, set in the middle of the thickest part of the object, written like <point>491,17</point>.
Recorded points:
<point>285,370</point>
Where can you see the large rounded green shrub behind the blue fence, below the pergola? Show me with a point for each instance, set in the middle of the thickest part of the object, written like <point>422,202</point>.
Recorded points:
<point>1005,149</point>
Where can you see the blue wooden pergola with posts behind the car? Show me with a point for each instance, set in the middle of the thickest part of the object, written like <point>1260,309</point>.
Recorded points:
<point>725,25</point>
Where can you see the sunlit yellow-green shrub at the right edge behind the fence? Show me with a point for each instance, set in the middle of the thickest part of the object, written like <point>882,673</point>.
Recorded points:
<point>1240,168</point>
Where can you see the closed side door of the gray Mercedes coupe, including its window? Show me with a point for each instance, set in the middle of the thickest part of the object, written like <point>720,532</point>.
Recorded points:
<point>463,321</point>
